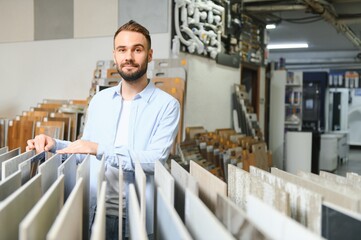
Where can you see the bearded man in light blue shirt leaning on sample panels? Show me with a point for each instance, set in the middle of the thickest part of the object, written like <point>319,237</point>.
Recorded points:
<point>134,121</point>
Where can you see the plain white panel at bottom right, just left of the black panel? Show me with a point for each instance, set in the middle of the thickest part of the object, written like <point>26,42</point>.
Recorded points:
<point>275,224</point>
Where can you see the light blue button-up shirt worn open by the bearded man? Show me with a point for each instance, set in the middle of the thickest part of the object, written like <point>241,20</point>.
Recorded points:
<point>153,126</point>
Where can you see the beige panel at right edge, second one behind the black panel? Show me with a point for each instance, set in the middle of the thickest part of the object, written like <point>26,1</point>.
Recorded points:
<point>352,193</point>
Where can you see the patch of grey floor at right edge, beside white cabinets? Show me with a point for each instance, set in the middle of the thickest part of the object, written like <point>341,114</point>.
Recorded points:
<point>352,165</point>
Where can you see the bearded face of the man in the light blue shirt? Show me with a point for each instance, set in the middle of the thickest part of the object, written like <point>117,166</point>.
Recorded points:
<point>131,55</point>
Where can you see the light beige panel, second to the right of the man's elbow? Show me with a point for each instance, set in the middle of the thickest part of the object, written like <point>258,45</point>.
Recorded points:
<point>182,180</point>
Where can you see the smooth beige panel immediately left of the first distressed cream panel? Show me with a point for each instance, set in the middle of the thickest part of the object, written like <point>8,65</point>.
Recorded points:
<point>209,185</point>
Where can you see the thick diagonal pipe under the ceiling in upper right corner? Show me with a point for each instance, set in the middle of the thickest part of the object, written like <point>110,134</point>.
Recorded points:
<point>331,18</point>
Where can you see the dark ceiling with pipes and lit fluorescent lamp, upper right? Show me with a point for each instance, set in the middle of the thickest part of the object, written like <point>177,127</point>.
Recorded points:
<point>326,25</point>
